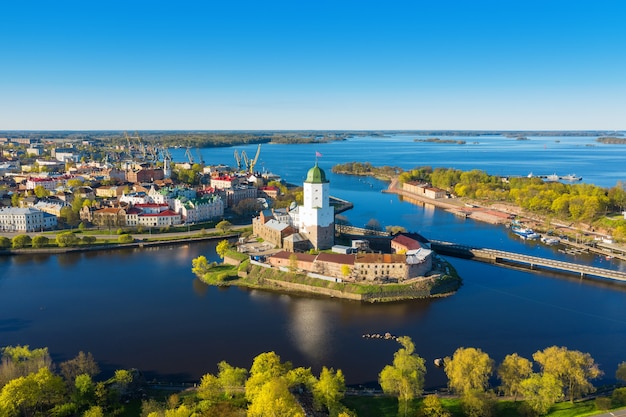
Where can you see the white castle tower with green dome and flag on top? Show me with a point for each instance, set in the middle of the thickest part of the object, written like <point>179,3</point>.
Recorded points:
<point>317,216</point>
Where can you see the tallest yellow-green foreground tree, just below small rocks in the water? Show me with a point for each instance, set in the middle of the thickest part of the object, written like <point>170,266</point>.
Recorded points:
<point>405,377</point>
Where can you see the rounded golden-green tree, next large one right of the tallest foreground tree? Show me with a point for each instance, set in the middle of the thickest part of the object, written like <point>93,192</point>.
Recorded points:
<point>469,369</point>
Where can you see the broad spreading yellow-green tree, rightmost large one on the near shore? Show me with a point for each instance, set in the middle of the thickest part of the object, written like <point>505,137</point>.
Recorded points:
<point>573,368</point>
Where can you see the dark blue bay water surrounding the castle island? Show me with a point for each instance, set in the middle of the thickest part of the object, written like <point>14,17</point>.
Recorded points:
<point>144,308</point>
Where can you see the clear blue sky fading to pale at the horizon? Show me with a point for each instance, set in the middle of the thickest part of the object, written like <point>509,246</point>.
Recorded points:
<point>323,65</point>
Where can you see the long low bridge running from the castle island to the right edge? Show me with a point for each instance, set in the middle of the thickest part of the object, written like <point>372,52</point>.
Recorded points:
<point>516,260</point>
